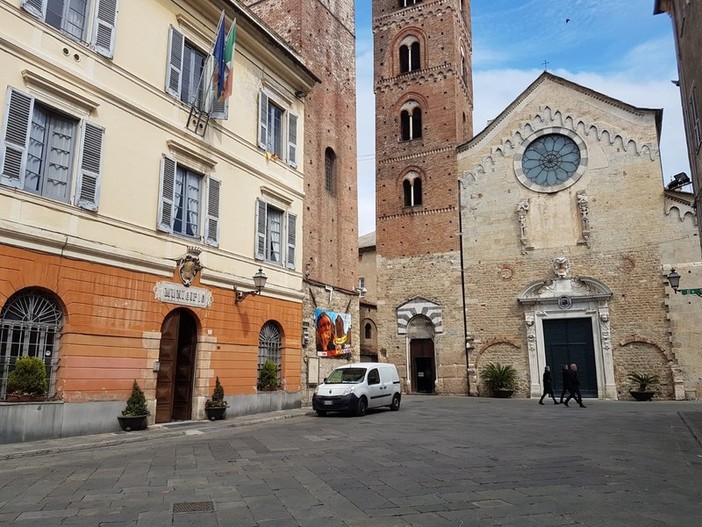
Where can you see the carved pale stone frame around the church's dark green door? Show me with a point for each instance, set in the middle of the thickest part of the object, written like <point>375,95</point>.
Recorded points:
<point>562,297</point>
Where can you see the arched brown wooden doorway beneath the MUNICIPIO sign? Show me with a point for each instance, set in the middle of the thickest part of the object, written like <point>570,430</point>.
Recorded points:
<point>174,386</point>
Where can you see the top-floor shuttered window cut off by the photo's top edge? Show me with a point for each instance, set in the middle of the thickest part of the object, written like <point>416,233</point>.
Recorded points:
<point>89,21</point>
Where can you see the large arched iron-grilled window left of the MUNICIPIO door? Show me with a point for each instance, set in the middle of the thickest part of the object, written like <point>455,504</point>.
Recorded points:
<point>30,326</point>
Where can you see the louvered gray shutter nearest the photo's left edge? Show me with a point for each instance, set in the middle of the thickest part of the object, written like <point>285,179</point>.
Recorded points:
<point>13,152</point>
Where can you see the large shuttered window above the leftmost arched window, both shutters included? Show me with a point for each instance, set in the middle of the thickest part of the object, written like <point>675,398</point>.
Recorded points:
<point>39,150</point>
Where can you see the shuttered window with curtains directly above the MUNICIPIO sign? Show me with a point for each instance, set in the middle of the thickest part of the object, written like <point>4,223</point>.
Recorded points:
<point>182,202</point>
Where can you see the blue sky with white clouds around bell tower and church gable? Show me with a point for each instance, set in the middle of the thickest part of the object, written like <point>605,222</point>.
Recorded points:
<point>618,48</point>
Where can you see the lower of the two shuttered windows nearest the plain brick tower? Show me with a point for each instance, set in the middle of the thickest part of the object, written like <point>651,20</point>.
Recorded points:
<point>275,234</point>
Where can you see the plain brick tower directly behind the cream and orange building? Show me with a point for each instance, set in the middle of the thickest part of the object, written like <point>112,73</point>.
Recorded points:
<point>323,33</point>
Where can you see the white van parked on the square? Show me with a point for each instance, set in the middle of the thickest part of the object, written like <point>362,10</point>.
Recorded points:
<point>356,387</point>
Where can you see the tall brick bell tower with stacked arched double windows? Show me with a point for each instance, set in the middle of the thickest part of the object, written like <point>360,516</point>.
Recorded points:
<point>424,109</point>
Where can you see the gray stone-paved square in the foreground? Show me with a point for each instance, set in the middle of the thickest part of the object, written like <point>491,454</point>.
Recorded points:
<point>439,461</point>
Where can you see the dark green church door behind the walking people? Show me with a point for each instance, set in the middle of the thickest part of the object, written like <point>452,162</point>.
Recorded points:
<point>568,341</point>
